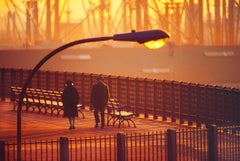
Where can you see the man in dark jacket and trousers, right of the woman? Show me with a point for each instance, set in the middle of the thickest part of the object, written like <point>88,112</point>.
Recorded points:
<point>99,100</point>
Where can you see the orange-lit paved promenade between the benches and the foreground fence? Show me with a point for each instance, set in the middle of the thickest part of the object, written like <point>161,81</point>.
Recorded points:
<point>40,126</point>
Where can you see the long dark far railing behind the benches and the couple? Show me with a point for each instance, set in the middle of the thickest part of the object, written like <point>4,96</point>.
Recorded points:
<point>161,99</point>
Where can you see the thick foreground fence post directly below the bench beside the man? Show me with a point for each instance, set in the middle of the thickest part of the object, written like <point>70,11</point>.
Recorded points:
<point>120,147</point>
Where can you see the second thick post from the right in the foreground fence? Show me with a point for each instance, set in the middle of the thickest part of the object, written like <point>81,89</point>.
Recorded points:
<point>171,145</point>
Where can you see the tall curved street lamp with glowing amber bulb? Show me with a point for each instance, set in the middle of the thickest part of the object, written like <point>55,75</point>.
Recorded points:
<point>140,37</point>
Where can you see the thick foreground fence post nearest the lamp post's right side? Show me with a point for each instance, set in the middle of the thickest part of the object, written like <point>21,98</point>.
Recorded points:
<point>64,153</point>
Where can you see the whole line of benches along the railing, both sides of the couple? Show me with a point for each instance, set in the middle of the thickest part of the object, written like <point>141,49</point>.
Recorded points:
<point>50,101</point>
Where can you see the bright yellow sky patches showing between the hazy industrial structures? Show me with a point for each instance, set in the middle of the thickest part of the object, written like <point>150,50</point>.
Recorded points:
<point>80,11</point>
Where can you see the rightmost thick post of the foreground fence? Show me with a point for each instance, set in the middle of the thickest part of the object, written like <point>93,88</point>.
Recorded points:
<point>212,143</point>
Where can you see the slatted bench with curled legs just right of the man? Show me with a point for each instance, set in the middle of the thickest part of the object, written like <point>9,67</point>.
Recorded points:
<point>119,113</point>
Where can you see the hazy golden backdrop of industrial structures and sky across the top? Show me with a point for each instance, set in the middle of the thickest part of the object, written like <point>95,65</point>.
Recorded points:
<point>192,22</point>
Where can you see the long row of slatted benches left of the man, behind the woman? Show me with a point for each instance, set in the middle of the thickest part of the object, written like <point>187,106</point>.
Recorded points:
<point>42,100</point>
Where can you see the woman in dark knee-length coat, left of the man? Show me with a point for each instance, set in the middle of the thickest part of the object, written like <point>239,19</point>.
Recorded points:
<point>70,98</point>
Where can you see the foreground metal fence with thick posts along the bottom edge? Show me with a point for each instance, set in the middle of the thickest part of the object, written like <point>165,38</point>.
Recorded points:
<point>207,144</point>
